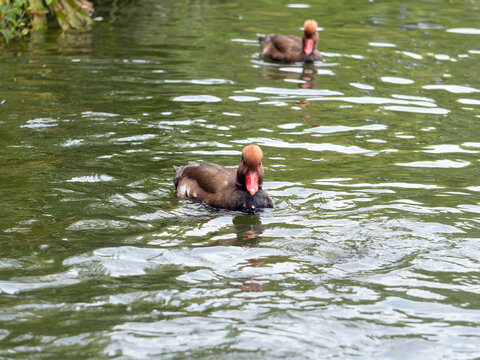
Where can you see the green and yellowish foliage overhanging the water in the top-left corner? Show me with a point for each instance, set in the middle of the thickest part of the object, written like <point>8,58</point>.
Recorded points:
<point>19,17</point>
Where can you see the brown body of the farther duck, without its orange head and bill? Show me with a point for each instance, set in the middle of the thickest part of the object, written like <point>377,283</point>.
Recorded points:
<point>285,48</point>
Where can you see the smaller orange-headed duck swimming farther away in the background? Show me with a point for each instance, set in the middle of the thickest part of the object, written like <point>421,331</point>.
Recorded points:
<point>289,48</point>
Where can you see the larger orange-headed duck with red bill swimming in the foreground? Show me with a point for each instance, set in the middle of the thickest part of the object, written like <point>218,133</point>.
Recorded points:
<point>225,188</point>
